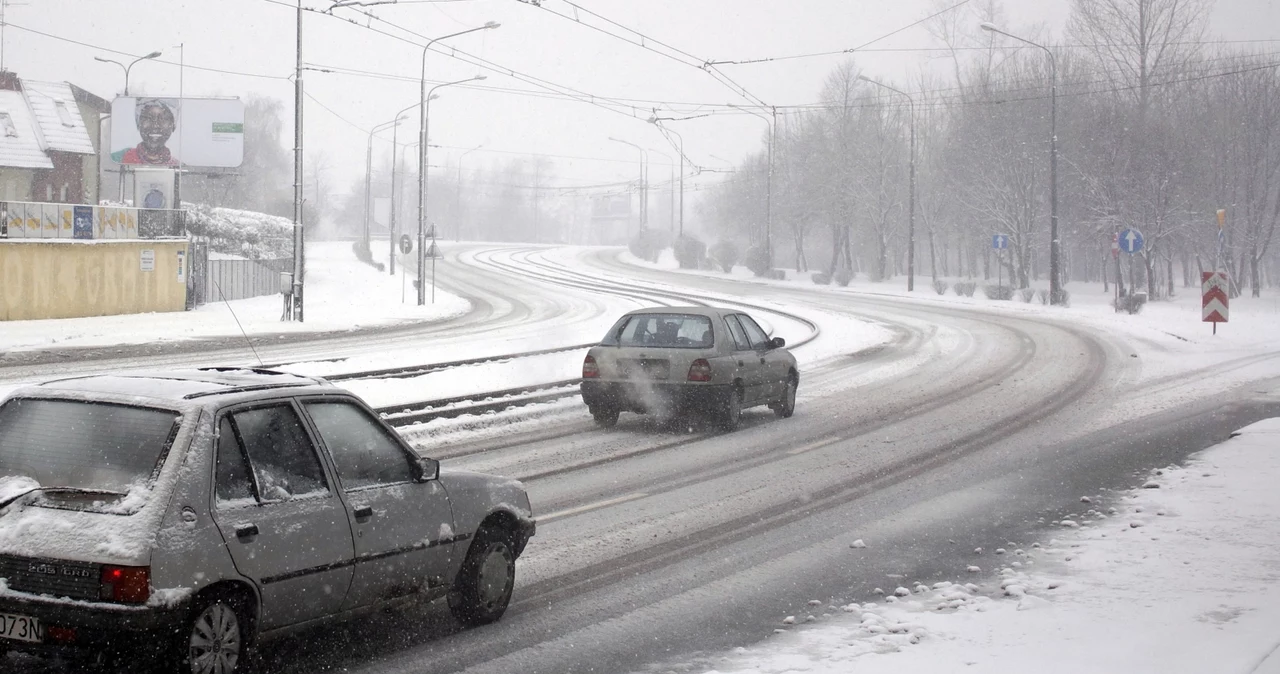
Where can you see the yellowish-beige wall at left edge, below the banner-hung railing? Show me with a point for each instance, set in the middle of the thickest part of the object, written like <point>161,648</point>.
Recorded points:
<point>67,279</point>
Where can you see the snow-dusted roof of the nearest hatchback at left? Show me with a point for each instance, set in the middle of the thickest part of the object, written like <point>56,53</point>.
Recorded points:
<point>179,386</point>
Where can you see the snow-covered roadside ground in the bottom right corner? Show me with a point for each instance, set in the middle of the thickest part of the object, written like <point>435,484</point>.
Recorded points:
<point>1177,577</point>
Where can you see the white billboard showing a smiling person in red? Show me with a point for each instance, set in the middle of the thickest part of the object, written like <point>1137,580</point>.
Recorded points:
<point>179,132</point>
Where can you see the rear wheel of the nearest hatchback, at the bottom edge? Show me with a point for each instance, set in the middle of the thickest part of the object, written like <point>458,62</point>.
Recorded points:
<point>216,638</point>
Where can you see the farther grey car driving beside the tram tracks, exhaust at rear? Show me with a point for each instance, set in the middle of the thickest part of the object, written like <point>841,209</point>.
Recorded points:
<point>676,361</point>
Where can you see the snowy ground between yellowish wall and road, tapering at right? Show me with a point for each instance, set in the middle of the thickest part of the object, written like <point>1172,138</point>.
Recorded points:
<point>344,295</point>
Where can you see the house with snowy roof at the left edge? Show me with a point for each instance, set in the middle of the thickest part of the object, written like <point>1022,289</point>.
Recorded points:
<point>48,152</point>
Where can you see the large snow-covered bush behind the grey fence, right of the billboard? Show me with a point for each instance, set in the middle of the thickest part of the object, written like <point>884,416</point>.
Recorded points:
<point>241,233</point>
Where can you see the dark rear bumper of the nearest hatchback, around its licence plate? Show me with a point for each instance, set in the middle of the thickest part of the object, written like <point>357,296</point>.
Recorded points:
<point>88,626</point>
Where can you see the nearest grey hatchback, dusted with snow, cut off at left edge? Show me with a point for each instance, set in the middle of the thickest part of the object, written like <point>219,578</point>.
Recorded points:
<point>195,513</point>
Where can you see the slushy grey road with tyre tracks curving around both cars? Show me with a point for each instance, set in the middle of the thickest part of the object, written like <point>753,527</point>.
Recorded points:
<point>927,428</point>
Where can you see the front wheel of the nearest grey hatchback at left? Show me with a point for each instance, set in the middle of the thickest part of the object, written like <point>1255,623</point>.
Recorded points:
<point>486,581</point>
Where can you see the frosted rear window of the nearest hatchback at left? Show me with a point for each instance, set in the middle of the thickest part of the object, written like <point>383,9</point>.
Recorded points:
<point>84,444</point>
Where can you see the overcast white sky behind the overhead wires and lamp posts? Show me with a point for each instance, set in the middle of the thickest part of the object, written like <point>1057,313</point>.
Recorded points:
<point>258,36</point>
